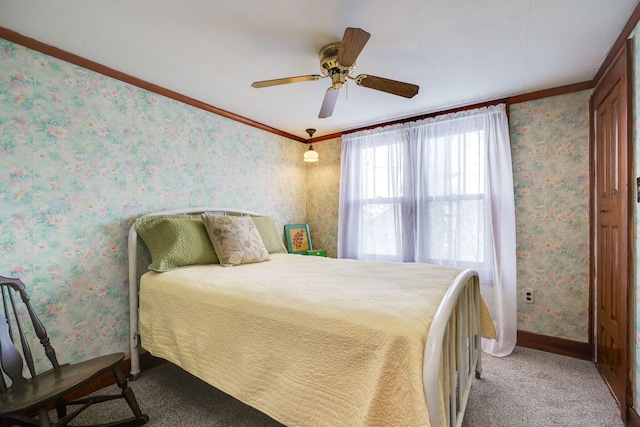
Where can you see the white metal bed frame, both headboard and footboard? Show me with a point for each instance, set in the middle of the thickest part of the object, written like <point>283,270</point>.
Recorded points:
<point>450,360</point>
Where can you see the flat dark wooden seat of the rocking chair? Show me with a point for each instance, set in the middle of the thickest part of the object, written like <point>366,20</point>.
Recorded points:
<point>56,383</point>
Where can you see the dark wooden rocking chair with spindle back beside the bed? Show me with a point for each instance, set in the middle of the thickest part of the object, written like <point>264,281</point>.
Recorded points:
<point>25,401</point>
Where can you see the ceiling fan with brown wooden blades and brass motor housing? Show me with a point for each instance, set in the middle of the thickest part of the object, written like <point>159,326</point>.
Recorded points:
<point>338,60</point>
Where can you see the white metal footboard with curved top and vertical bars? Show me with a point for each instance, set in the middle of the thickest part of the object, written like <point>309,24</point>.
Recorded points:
<point>453,354</point>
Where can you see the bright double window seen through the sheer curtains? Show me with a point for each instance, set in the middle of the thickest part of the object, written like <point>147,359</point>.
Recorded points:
<point>448,206</point>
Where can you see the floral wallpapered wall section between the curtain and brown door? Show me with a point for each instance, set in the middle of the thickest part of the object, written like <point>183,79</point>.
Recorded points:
<point>550,155</point>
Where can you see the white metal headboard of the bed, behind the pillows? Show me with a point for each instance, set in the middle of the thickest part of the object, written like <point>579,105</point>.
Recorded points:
<point>133,254</point>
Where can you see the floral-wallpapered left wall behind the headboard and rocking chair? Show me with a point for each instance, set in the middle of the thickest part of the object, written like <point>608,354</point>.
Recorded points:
<point>82,155</point>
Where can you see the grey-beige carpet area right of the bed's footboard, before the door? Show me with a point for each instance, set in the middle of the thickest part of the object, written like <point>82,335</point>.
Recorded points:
<point>535,388</point>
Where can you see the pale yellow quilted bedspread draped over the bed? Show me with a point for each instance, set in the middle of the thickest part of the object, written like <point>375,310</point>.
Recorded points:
<point>310,341</point>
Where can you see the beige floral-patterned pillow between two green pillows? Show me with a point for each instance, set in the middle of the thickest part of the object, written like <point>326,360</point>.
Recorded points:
<point>235,239</point>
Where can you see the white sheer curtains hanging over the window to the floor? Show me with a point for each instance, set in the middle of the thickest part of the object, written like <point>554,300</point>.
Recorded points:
<point>439,191</point>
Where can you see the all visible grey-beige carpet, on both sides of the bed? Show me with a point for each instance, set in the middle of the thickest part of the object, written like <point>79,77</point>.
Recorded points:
<point>529,388</point>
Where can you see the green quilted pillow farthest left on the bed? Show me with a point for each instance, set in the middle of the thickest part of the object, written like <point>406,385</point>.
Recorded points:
<point>175,241</point>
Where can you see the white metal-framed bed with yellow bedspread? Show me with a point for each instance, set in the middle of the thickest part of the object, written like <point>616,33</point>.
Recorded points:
<point>309,340</point>
